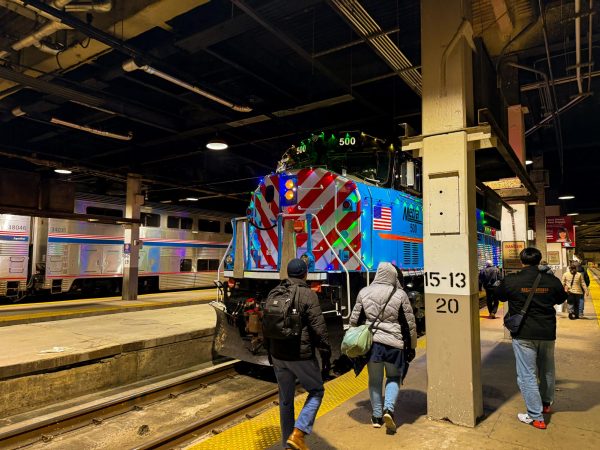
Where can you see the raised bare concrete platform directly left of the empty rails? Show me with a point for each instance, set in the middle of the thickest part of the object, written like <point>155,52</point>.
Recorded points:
<point>44,363</point>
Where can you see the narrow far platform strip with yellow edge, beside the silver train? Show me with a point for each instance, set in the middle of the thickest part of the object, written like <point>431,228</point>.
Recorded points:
<point>69,309</point>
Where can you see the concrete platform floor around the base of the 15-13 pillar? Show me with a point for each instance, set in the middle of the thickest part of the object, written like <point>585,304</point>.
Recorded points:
<point>575,423</point>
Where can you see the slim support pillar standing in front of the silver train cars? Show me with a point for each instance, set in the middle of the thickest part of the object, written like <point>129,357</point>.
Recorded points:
<point>131,250</point>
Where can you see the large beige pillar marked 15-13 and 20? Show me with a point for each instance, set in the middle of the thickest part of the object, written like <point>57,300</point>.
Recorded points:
<point>451,295</point>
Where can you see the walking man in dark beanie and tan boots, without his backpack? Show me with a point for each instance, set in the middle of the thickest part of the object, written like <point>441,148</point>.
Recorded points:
<point>295,358</point>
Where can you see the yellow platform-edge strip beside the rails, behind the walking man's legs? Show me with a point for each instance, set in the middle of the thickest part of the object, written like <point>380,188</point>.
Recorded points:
<point>263,431</point>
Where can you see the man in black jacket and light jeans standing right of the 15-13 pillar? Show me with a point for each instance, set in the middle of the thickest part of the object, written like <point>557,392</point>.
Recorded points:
<point>533,343</point>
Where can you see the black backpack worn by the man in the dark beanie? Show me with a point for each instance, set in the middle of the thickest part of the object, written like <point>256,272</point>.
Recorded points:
<point>281,313</point>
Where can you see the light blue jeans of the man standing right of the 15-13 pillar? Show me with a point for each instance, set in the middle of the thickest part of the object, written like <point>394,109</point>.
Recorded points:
<point>535,360</point>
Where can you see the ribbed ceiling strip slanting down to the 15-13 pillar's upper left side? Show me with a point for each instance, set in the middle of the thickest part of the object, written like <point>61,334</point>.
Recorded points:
<point>370,31</point>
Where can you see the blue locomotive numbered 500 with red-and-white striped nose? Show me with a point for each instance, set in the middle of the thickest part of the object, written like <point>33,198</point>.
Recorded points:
<point>343,203</point>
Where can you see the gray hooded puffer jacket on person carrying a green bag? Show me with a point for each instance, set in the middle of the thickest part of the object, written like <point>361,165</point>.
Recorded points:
<point>372,298</point>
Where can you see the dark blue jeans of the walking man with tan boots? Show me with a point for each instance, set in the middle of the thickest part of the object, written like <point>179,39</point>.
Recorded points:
<point>309,376</point>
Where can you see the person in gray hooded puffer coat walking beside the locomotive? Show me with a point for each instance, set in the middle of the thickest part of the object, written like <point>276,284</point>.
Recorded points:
<point>388,342</point>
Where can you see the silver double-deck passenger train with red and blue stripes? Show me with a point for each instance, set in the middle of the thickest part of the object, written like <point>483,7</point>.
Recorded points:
<point>181,248</point>
